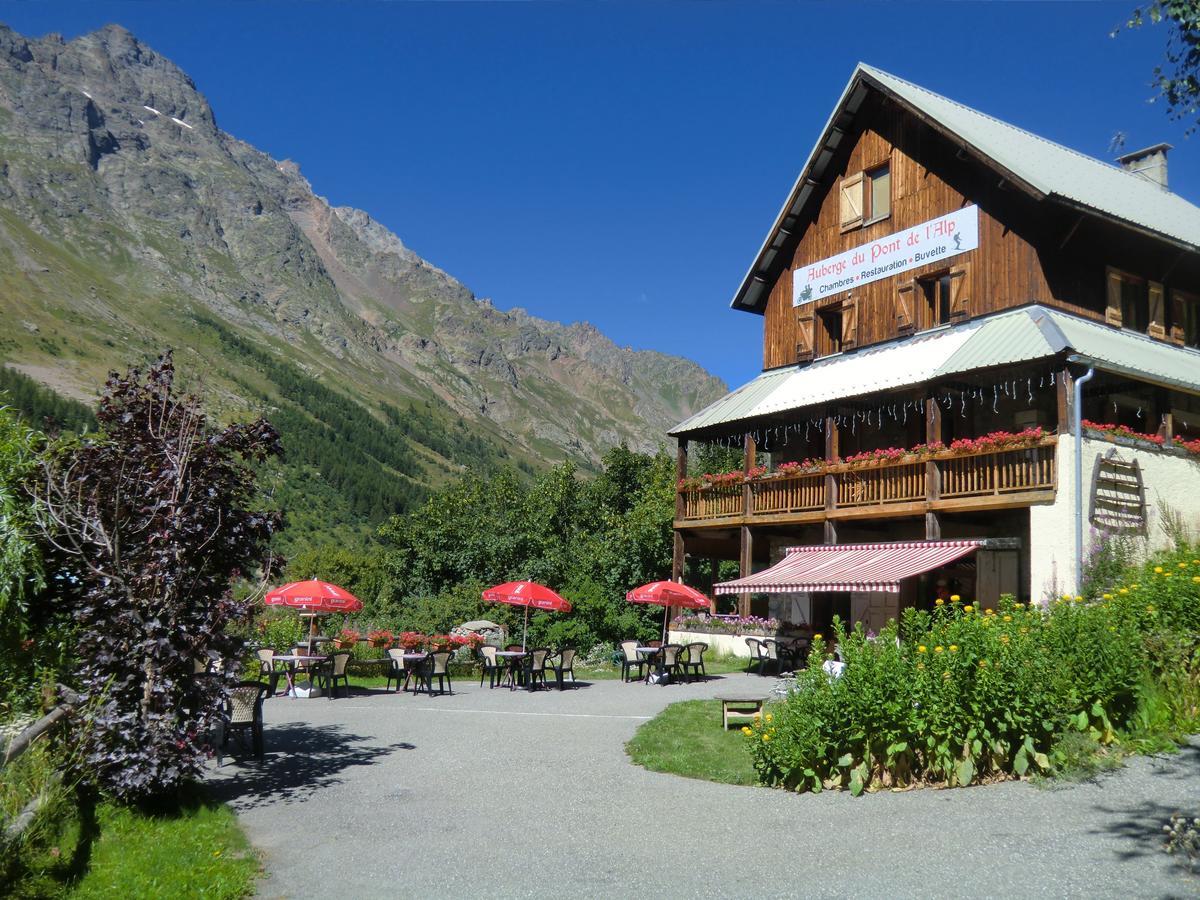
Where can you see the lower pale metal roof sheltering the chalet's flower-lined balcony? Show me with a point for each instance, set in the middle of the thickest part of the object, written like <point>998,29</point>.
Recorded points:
<point>1003,340</point>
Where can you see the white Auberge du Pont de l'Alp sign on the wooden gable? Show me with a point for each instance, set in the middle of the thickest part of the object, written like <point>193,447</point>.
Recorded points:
<point>921,245</point>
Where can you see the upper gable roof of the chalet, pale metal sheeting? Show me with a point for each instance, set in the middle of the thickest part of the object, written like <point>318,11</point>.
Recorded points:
<point>1041,167</point>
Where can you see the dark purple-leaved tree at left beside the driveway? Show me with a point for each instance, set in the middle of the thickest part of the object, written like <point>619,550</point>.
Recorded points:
<point>154,519</point>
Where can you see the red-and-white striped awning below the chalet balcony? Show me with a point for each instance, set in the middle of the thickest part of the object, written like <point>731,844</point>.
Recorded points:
<point>850,567</point>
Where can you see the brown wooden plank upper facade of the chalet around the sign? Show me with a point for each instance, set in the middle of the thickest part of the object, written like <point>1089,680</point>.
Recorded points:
<point>1030,250</point>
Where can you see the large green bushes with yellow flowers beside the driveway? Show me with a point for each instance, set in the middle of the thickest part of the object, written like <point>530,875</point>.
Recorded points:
<point>969,697</point>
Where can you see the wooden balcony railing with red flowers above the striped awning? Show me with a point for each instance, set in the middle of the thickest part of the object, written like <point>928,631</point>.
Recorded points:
<point>911,485</point>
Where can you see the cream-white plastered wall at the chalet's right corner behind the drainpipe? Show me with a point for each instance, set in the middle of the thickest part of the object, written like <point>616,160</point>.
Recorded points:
<point>1169,479</point>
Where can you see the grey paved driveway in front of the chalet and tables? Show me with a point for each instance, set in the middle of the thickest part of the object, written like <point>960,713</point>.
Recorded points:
<point>509,795</point>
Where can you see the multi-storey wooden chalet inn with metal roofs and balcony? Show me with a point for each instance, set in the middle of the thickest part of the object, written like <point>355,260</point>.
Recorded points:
<point>938,277</point>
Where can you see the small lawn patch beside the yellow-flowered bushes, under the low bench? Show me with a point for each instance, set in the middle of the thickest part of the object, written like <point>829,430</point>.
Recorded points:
<point>687,740</point>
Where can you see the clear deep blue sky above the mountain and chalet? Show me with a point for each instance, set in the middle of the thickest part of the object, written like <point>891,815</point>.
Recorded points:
<point>619,164</point>
